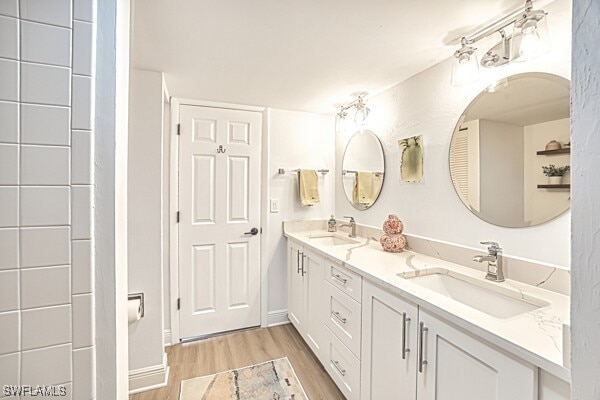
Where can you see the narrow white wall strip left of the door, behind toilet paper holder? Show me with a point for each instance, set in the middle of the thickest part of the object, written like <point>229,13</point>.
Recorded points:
<point>145,216</point>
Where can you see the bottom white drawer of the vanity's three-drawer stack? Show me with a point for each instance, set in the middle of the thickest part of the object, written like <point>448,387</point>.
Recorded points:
<point>343,367</point>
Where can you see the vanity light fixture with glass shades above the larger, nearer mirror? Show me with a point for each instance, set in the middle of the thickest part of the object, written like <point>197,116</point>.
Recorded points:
<point>529,39</point>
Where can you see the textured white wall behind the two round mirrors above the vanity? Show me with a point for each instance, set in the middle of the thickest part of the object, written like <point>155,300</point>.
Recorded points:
<point>428,105</point>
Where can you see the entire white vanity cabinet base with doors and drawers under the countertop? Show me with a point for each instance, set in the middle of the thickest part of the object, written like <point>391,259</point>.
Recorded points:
<point>376,344</point>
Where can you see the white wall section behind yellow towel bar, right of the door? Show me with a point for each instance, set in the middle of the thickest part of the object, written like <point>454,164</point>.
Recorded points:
<point>295,140</point>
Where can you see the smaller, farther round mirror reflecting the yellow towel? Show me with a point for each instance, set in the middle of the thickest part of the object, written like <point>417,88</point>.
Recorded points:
<point>363,169</point>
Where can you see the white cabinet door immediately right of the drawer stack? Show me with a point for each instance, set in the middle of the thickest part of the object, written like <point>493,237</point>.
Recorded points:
<point>389,346</point>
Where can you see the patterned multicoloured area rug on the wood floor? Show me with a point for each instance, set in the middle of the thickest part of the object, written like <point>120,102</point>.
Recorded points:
<point>272,380</point>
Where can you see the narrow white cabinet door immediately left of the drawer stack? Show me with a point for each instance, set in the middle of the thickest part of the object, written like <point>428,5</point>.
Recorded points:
<point>316,309</point>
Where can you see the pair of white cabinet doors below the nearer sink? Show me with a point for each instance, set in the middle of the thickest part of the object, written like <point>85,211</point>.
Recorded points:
<point>410,354</point>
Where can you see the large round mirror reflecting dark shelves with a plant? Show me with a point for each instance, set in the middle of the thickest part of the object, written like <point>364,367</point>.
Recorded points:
<point>502,142</point>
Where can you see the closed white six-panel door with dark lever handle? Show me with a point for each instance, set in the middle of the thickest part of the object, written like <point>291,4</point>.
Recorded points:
<point>219,195</point>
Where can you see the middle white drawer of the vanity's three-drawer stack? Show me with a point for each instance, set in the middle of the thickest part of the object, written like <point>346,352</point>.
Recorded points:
<point>344,318</point>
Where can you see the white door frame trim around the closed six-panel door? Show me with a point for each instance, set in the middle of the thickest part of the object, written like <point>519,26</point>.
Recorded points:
<point>174,206</point>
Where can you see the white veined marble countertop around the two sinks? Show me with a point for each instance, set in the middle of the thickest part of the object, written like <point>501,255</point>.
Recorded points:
<point>534,336</point>
